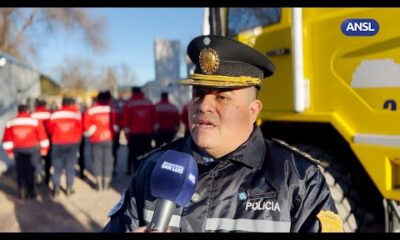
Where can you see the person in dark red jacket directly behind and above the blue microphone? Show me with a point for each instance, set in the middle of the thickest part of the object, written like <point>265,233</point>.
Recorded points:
<point>139,118</point>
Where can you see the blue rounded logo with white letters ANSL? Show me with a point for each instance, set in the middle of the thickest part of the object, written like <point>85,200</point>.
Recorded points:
<point>360,27</point>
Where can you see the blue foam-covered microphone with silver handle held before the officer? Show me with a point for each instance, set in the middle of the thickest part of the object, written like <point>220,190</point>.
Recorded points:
<point>172,182</point>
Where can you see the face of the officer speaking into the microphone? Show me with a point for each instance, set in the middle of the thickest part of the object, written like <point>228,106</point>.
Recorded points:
<point>222,119</point>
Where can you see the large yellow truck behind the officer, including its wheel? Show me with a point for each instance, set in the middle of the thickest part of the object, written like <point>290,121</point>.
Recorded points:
<point>335,95</point>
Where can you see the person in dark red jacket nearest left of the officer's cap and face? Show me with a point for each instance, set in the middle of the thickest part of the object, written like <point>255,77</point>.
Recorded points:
<point>167,120</point>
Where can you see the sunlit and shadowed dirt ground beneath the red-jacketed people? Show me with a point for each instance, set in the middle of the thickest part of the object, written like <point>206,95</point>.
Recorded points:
<point>84,211</point>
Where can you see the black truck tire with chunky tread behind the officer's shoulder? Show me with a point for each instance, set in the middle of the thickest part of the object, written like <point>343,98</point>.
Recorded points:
<point>347,199</point>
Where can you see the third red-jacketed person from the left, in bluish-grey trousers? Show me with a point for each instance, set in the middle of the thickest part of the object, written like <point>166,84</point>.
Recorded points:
<point>65,127</point>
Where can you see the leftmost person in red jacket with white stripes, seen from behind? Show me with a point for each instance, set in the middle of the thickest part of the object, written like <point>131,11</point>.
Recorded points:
<point>25,140</point>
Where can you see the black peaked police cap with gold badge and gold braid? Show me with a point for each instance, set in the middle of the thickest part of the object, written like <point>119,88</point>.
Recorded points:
<point>221,62</point>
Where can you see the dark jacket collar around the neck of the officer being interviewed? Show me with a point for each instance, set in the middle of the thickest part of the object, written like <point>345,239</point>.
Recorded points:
<point>251,153</point>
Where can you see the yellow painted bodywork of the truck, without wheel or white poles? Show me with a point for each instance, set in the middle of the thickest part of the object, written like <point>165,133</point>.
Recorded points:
<point>352,81</point>
